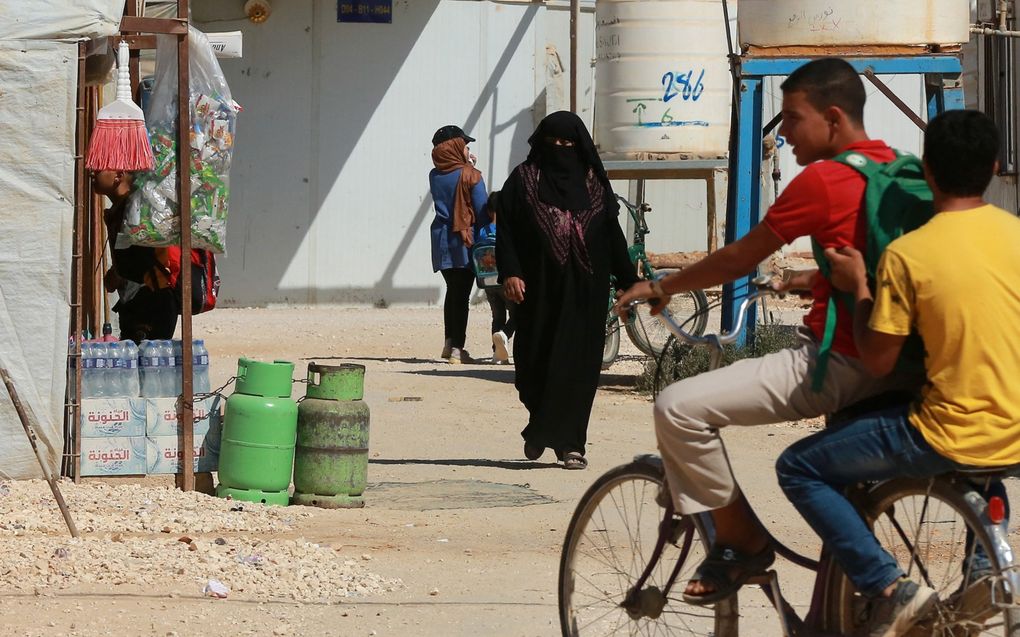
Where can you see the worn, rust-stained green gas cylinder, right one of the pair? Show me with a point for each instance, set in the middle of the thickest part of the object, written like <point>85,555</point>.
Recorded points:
<point>331,464</point>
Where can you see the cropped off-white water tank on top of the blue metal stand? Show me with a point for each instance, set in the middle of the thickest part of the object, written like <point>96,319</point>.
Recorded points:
<point>853,23</point>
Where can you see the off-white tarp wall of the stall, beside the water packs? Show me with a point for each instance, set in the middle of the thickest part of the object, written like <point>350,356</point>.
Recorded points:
<point>37,194</point>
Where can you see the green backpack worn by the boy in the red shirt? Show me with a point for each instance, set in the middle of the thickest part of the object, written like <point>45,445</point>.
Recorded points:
<point>897,200</point>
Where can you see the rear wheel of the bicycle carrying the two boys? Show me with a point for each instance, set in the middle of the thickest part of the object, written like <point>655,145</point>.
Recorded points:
<point>926,525</point>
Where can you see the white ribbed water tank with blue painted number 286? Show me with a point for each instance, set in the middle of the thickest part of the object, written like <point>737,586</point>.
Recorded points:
<point>664,87</point>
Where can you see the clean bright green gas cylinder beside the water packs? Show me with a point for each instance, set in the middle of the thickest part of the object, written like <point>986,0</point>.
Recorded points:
<point>260,429</point>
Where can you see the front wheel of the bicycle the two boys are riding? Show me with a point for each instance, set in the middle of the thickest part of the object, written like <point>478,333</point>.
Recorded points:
<point>609,544</point>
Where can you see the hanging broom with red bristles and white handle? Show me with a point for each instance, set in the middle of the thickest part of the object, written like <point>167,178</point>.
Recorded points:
<point>121,141</point>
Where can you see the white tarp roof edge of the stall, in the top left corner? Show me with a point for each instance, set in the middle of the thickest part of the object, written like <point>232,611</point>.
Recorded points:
<point>60,20</point>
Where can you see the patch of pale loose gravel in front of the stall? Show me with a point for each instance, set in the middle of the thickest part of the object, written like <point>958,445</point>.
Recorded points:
<point>197,539</point>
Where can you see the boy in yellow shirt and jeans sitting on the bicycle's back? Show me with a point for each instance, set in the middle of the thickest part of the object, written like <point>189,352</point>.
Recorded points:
<point>955,281</point>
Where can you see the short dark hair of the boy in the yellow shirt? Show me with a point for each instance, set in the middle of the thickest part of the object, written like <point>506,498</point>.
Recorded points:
<point>961,148</point>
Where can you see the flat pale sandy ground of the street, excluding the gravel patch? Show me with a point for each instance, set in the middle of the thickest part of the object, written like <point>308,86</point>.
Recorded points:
<point>472,530</point>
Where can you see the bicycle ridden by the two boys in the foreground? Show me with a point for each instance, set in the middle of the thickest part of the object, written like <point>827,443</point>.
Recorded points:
<point>625,553</point>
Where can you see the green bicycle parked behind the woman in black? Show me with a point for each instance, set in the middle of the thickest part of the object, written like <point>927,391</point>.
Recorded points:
<point>648,335</point>
